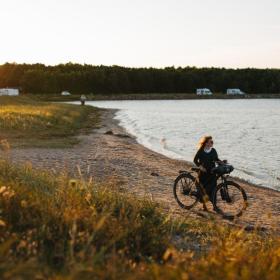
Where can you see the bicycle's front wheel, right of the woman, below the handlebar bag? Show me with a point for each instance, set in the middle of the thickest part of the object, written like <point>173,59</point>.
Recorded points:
<point>229,199</point>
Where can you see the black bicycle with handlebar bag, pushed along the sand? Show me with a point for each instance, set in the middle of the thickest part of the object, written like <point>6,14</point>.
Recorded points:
<point>229,199</point>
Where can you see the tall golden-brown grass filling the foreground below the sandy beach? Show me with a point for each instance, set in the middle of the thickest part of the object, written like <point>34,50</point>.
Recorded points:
<point>64,228</point>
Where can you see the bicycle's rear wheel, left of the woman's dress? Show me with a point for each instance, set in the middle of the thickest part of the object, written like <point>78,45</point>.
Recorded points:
<point>185,191</point>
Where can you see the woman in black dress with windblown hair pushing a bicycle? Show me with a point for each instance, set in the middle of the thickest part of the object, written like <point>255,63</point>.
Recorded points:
<point>205,158</point>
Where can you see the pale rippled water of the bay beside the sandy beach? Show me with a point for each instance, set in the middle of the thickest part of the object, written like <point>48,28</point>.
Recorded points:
<point>246,132</point>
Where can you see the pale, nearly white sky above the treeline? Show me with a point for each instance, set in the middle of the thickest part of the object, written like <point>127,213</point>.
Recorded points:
<point>142,33</point>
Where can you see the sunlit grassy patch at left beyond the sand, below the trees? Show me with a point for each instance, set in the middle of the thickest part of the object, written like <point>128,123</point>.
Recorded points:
<point>25,121</point>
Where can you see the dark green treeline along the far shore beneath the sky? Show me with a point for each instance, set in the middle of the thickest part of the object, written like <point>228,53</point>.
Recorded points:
<point>76,78</point>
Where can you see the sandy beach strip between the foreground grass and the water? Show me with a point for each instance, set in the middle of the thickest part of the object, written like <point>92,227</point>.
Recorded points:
<point>110,153</point>
